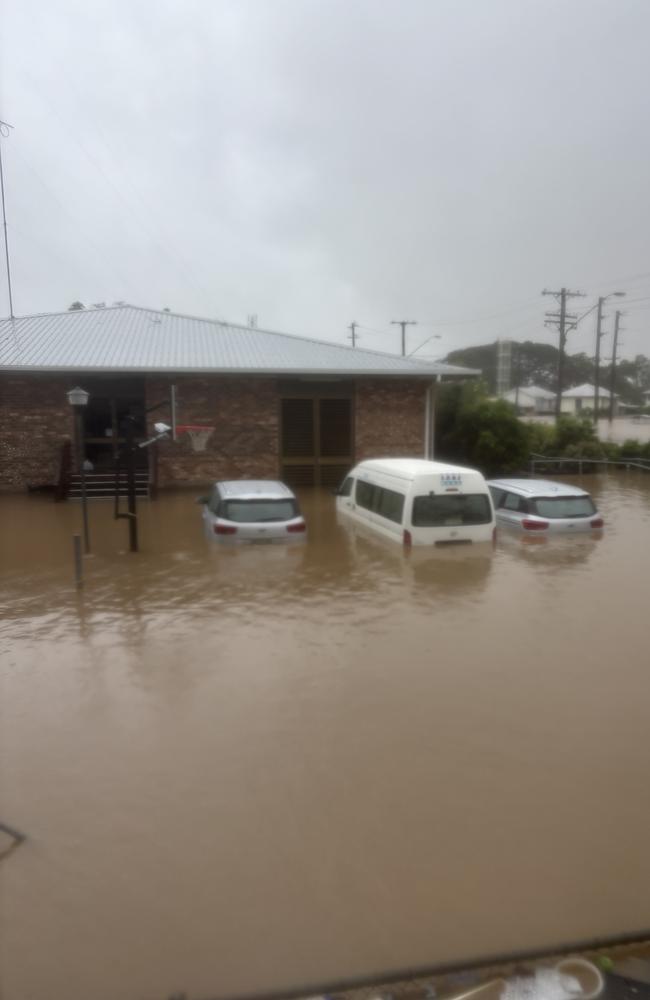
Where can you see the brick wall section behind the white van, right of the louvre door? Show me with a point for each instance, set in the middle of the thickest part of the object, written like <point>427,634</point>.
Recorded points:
<point>389,418</point>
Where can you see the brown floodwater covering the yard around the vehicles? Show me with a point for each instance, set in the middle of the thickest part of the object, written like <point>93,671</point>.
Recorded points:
<point>256,768</point>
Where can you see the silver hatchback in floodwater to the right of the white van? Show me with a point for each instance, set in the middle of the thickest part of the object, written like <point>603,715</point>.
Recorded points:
<point>540,505</point>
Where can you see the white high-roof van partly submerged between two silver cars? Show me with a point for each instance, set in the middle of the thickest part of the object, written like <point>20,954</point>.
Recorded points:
<point>419,503</point>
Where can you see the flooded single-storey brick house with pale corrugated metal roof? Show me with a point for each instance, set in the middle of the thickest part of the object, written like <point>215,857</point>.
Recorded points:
<point>281,406</point>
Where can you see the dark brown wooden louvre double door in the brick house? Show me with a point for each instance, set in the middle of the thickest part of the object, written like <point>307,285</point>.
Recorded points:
<point>316,439</point>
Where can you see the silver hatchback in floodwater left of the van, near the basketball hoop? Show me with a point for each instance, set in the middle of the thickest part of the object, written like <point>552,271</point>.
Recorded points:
<point>252,510</point>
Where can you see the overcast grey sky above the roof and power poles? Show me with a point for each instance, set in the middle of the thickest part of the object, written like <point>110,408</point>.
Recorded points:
<point>322,161</point>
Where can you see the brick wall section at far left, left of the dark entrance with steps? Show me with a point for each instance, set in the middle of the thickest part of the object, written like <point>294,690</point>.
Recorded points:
<point>35,420</point>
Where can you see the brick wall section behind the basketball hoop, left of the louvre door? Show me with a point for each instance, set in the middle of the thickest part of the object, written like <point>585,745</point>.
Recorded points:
<point>245,415</point>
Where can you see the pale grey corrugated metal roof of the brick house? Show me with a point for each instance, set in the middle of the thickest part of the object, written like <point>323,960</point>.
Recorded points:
<point>132,339</point>
